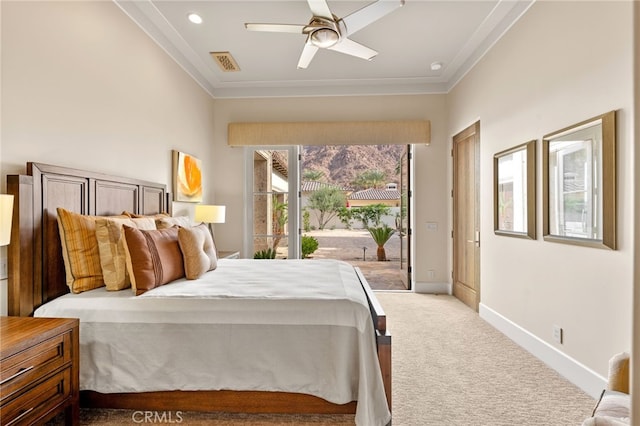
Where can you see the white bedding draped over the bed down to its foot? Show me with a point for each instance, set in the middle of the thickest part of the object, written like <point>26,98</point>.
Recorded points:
<point>295,326</point>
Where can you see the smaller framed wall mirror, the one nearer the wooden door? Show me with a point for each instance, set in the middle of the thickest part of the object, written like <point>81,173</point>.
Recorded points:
<point>514,175</point>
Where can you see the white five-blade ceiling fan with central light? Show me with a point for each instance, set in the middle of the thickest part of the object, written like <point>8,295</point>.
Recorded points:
<point>327,31</point>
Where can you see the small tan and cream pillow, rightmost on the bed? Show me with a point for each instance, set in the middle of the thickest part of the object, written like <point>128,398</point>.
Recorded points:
<point>198,251</point>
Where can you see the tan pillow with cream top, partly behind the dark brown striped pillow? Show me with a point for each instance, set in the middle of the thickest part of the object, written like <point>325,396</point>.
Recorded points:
<point>111,248</point>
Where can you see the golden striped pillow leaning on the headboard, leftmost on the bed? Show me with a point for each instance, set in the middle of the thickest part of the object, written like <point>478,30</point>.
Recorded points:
<point>79,250</point>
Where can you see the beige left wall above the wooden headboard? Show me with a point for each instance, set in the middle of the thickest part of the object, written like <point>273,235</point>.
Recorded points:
<point>84,87</point>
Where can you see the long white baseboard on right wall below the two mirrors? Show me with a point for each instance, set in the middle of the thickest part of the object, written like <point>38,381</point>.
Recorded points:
<point>577,373</point>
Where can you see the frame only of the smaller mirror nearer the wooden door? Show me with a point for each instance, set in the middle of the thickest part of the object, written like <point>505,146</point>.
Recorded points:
<point>530,203</point>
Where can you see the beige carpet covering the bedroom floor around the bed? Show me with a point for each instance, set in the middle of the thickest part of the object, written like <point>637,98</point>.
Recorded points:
<point>449,368</point>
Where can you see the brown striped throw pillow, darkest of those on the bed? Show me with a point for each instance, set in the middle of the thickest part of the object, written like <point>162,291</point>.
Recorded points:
<point>153,257</point>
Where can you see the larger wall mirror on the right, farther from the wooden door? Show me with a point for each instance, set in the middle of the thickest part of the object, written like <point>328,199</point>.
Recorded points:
<point>579,183</point>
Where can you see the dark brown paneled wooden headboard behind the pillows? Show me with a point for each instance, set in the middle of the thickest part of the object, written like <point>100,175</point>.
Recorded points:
<point>36,267</point>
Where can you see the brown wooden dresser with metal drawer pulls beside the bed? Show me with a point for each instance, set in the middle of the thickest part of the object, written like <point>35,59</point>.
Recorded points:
<point>39,369</point>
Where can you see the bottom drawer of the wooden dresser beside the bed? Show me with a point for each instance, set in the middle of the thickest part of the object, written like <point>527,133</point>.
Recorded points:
<point>38,400</point>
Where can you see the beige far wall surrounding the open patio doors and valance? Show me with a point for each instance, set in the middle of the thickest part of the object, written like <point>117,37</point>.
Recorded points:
<point>431,196</point>
